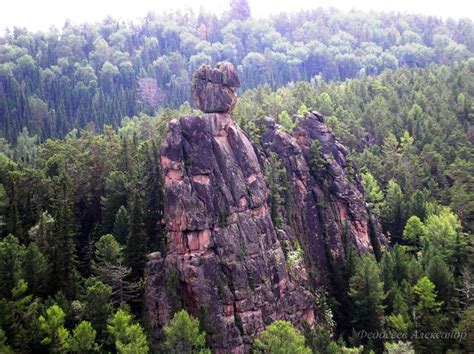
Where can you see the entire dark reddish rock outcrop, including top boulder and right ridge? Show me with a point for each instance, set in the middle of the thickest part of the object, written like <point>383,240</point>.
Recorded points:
<point>226,262</point>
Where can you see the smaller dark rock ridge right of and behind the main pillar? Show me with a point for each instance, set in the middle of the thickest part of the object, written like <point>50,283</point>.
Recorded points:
<point>322,213</point>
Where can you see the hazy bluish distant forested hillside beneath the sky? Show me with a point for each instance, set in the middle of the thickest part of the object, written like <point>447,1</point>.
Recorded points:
<point>54,81</point>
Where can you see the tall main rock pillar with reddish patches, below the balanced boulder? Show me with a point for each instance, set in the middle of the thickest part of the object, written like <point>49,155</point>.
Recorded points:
<point>224,259</point>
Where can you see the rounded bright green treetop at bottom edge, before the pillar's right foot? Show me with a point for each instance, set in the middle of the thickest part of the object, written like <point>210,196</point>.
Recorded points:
<point>280,337</point>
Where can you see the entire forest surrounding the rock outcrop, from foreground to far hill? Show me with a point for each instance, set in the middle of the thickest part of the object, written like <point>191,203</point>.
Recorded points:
<point>83,112</point>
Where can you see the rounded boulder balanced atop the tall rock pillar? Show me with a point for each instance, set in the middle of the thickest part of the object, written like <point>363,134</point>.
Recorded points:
<point>214,89</point>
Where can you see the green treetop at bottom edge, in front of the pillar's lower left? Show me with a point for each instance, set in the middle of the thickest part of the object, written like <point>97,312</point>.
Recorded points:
<point>182,335</point>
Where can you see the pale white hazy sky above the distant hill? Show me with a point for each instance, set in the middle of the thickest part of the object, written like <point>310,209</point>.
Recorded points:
<point>41,14</point>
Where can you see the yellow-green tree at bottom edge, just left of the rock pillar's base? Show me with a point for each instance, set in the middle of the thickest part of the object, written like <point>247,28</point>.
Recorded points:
<point>128,337</point>
